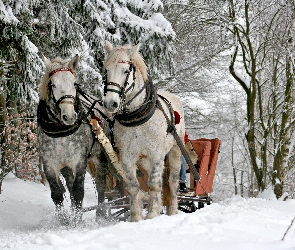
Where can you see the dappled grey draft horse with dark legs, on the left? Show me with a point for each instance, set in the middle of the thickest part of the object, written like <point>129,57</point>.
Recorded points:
<point>65,138</point>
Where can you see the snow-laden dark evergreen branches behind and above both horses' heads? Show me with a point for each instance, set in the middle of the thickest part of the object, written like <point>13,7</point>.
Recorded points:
<point>32,28</point>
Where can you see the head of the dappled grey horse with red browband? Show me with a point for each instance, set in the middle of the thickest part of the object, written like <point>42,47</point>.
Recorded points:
<point>59,86</point>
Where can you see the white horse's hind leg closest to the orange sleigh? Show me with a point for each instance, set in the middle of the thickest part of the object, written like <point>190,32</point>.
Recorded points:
<point>174,158</point>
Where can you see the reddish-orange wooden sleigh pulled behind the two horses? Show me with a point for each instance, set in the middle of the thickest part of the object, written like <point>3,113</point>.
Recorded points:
<point>117,202</point>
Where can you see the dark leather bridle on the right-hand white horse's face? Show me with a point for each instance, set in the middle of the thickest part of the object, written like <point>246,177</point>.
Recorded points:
<point>122,89</point>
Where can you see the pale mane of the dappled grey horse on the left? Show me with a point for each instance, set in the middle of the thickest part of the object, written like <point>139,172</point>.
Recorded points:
<point>55,64</point>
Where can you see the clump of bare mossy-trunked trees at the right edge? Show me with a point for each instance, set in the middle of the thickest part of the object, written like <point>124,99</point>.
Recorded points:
<point>261,39</point>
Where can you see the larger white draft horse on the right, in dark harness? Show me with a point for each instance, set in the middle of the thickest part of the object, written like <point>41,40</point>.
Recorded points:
<point>141,131</point>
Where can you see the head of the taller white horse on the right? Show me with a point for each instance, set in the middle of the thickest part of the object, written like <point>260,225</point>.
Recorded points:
<point>121,65</point>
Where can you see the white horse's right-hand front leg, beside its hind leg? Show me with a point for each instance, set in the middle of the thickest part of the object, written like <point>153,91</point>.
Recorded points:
<point>155,188</point>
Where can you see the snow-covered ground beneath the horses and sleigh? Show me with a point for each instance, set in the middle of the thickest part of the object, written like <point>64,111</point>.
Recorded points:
<point>27,221</point>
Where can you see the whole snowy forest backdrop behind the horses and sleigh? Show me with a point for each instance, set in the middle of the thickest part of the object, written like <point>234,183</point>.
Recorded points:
<point>230,61</point>
